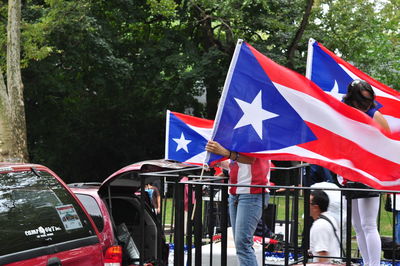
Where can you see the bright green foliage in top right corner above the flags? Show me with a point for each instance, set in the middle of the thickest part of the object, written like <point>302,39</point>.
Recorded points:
<point>366,34</point>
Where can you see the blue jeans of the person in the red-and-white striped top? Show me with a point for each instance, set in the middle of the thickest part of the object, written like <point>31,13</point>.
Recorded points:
<point>245,211</point>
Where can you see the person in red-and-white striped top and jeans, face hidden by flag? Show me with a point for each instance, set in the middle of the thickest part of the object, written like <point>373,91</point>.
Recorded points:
<point>245,203</point>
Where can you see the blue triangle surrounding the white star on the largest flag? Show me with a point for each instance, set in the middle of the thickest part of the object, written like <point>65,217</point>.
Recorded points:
<point>284,130</point>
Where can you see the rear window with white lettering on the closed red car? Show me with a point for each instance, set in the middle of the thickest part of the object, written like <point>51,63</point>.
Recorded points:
<point>36,210</point>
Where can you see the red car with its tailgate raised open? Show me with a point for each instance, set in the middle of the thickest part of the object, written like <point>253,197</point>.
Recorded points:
<point>115,206</point>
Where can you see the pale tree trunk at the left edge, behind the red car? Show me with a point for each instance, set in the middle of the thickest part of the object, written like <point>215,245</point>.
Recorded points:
<point>13,142</point>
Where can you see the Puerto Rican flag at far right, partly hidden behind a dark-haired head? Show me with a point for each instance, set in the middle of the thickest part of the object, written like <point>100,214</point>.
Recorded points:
<point>332,74</point>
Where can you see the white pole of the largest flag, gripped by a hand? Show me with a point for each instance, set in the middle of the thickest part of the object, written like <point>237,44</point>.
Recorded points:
<point>224,93</point>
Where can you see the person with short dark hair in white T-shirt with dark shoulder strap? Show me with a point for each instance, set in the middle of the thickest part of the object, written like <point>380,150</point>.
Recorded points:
<point>324,240</point>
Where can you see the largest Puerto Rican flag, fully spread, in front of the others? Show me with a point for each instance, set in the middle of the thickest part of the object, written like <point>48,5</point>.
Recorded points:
<point>268,110</point>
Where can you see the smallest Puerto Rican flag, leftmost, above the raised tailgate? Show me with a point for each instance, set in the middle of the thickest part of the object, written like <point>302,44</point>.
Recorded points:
<point>185,138</point>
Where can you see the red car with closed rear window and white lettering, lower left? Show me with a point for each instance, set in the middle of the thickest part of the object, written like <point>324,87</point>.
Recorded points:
<point>43,223</point>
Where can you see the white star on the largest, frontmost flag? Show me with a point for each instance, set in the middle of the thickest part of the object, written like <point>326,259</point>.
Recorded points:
<point>253,114</point>
